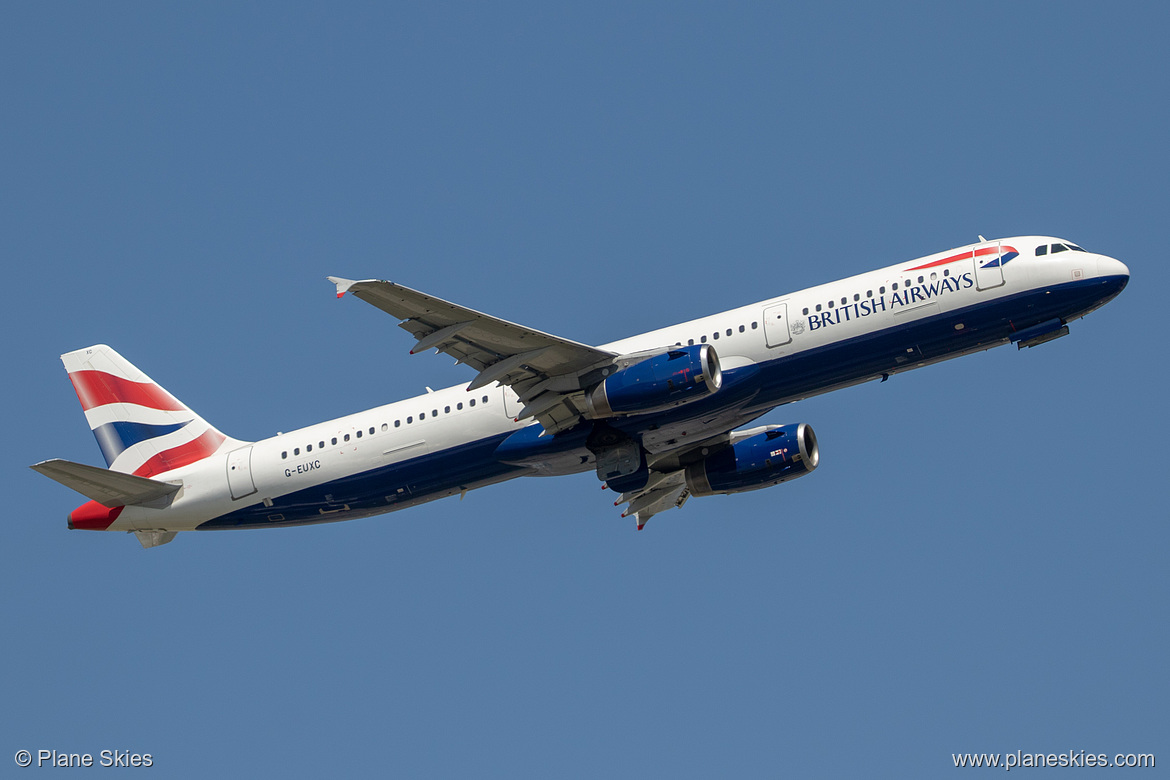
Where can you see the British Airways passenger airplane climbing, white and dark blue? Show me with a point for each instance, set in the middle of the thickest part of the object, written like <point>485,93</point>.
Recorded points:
<point>658,417</point>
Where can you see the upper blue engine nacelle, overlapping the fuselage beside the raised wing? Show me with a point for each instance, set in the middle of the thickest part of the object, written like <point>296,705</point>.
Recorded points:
<point>679,376</point>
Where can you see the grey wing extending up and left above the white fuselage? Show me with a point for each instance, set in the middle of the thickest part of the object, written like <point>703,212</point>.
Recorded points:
<point>548,372</point>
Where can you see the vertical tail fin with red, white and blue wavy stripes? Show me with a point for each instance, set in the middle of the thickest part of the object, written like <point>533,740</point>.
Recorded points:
<point>141,429</point>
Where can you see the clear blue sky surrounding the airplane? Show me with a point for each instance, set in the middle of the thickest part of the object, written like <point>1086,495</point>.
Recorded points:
<point>980,563</point>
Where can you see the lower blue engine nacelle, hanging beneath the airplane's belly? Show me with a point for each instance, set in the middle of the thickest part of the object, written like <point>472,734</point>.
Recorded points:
<point>756,463</point>
